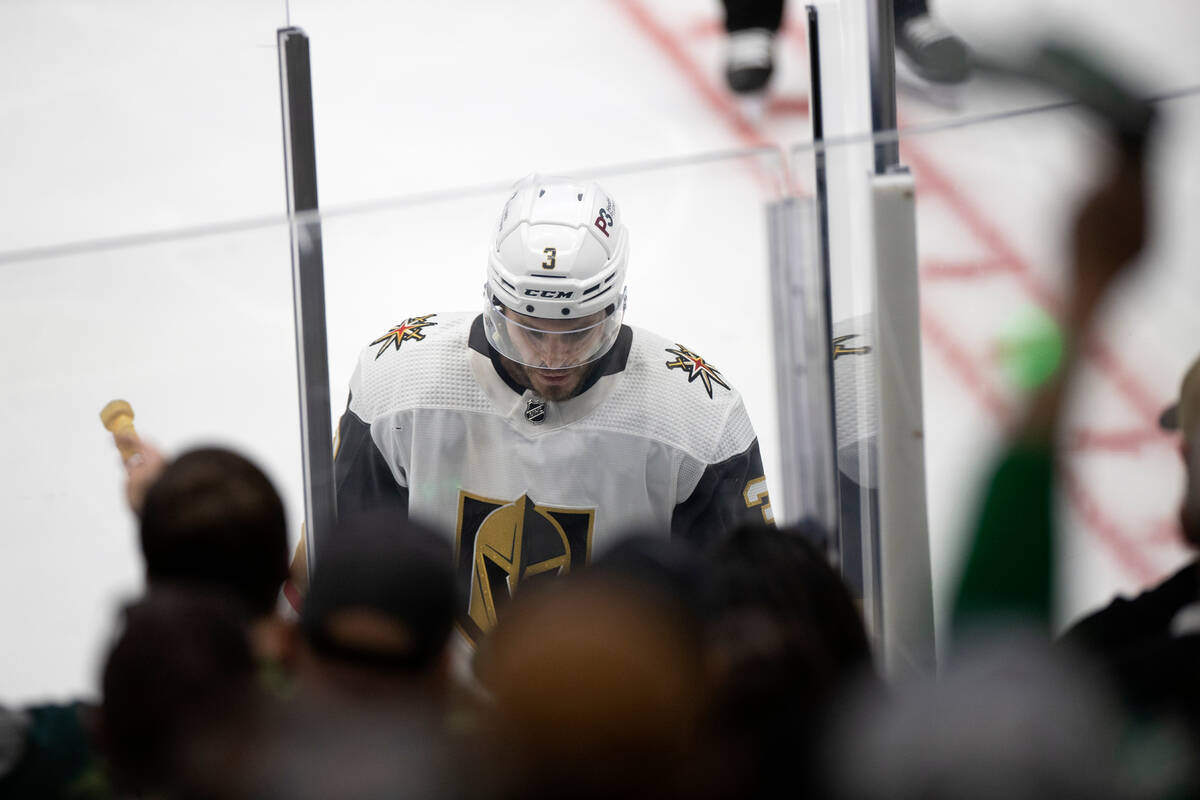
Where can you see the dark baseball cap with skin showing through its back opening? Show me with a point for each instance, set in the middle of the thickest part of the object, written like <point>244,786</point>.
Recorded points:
<point>382,594</point>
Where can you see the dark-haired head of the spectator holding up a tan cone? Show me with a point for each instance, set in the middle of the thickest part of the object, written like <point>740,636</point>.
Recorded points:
<point>214,521</point>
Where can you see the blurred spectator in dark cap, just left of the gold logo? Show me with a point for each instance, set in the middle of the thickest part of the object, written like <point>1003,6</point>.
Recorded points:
<point>371,671</point>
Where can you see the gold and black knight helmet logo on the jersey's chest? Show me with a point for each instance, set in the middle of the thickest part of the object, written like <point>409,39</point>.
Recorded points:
<point>502,546</point>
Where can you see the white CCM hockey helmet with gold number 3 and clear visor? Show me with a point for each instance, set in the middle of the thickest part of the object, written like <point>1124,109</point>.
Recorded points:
<point>560,254</point>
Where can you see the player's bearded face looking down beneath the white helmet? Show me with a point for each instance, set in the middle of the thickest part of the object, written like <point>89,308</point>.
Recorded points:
<point>554,344</point>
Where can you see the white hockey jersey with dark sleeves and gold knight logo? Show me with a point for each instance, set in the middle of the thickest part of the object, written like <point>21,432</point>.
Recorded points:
<point>529,489</point>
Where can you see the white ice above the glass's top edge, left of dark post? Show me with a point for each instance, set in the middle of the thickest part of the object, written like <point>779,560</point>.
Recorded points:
<point>124,118</point>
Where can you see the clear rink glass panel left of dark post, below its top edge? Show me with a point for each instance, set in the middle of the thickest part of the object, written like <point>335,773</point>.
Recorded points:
<point>197,335</point>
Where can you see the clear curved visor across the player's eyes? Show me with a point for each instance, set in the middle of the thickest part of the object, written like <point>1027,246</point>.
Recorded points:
<point>551,344</point>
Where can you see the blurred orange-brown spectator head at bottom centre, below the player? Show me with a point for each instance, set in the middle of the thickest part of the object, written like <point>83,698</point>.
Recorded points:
<point>597,689</point>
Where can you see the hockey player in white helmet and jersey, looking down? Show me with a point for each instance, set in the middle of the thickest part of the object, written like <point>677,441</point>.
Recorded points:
<point>542,430</point>
